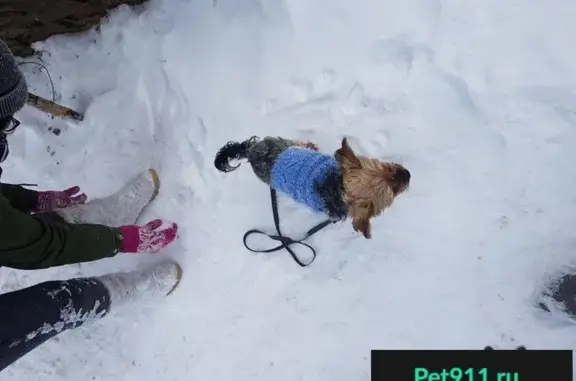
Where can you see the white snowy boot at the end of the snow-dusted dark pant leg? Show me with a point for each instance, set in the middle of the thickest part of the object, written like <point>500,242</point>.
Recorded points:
<point>153,283</point>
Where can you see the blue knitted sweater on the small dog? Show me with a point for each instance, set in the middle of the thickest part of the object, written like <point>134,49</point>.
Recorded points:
<point>297,170</point>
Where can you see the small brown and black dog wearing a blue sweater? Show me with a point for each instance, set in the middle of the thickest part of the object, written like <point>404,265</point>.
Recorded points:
<point>341,185</point>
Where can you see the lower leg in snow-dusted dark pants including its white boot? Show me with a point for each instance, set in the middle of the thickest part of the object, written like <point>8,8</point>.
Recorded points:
<point>31,316</point>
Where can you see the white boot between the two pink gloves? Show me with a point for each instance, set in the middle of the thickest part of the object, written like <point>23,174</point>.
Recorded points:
<point>121,208</point>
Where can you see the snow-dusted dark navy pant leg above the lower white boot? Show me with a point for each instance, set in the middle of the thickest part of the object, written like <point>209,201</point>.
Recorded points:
<point>31,316</point>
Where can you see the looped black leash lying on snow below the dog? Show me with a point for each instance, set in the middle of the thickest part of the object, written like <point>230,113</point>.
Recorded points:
<point>285,242</point>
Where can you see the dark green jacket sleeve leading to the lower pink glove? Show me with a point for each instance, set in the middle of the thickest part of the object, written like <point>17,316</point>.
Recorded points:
<point>28,242</point>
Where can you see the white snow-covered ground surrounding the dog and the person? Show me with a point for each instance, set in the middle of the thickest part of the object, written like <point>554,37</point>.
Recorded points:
<point>476,98</point>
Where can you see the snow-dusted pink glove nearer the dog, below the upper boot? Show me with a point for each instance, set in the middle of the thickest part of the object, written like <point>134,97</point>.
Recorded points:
<point>148,238</point>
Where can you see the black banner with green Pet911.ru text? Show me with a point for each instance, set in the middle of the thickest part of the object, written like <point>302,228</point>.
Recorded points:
<point>471,365</point>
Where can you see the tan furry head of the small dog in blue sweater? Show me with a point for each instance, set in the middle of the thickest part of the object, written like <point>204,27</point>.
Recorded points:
<point>370,185</point>
